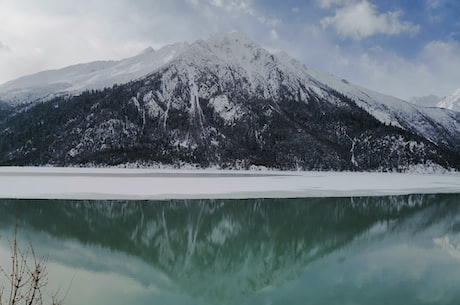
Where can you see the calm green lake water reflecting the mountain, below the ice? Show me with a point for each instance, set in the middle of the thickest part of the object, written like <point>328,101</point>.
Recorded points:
<point>383,250</point>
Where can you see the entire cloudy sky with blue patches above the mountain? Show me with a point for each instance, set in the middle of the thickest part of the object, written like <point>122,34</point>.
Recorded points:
<point>403,48</point>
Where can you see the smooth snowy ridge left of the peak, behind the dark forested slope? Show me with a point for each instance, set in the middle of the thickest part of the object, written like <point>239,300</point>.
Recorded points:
<point>89,76</point>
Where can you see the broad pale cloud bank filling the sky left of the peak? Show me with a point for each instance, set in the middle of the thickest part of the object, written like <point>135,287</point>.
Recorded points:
<point>51,34</point>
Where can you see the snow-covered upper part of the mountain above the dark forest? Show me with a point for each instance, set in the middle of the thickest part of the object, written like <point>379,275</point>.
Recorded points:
<point>221,51</point>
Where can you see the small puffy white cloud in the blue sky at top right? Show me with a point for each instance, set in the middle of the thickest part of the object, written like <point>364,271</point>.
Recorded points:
<point>359,19</point>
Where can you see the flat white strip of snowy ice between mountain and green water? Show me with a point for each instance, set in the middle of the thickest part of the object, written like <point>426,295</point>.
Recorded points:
<point>91,183</point>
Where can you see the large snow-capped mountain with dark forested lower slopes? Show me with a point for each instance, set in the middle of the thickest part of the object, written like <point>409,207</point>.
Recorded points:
<point>224,102</point>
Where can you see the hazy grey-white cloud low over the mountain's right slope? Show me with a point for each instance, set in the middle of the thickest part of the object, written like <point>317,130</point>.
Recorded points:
<point>434,70</point>
